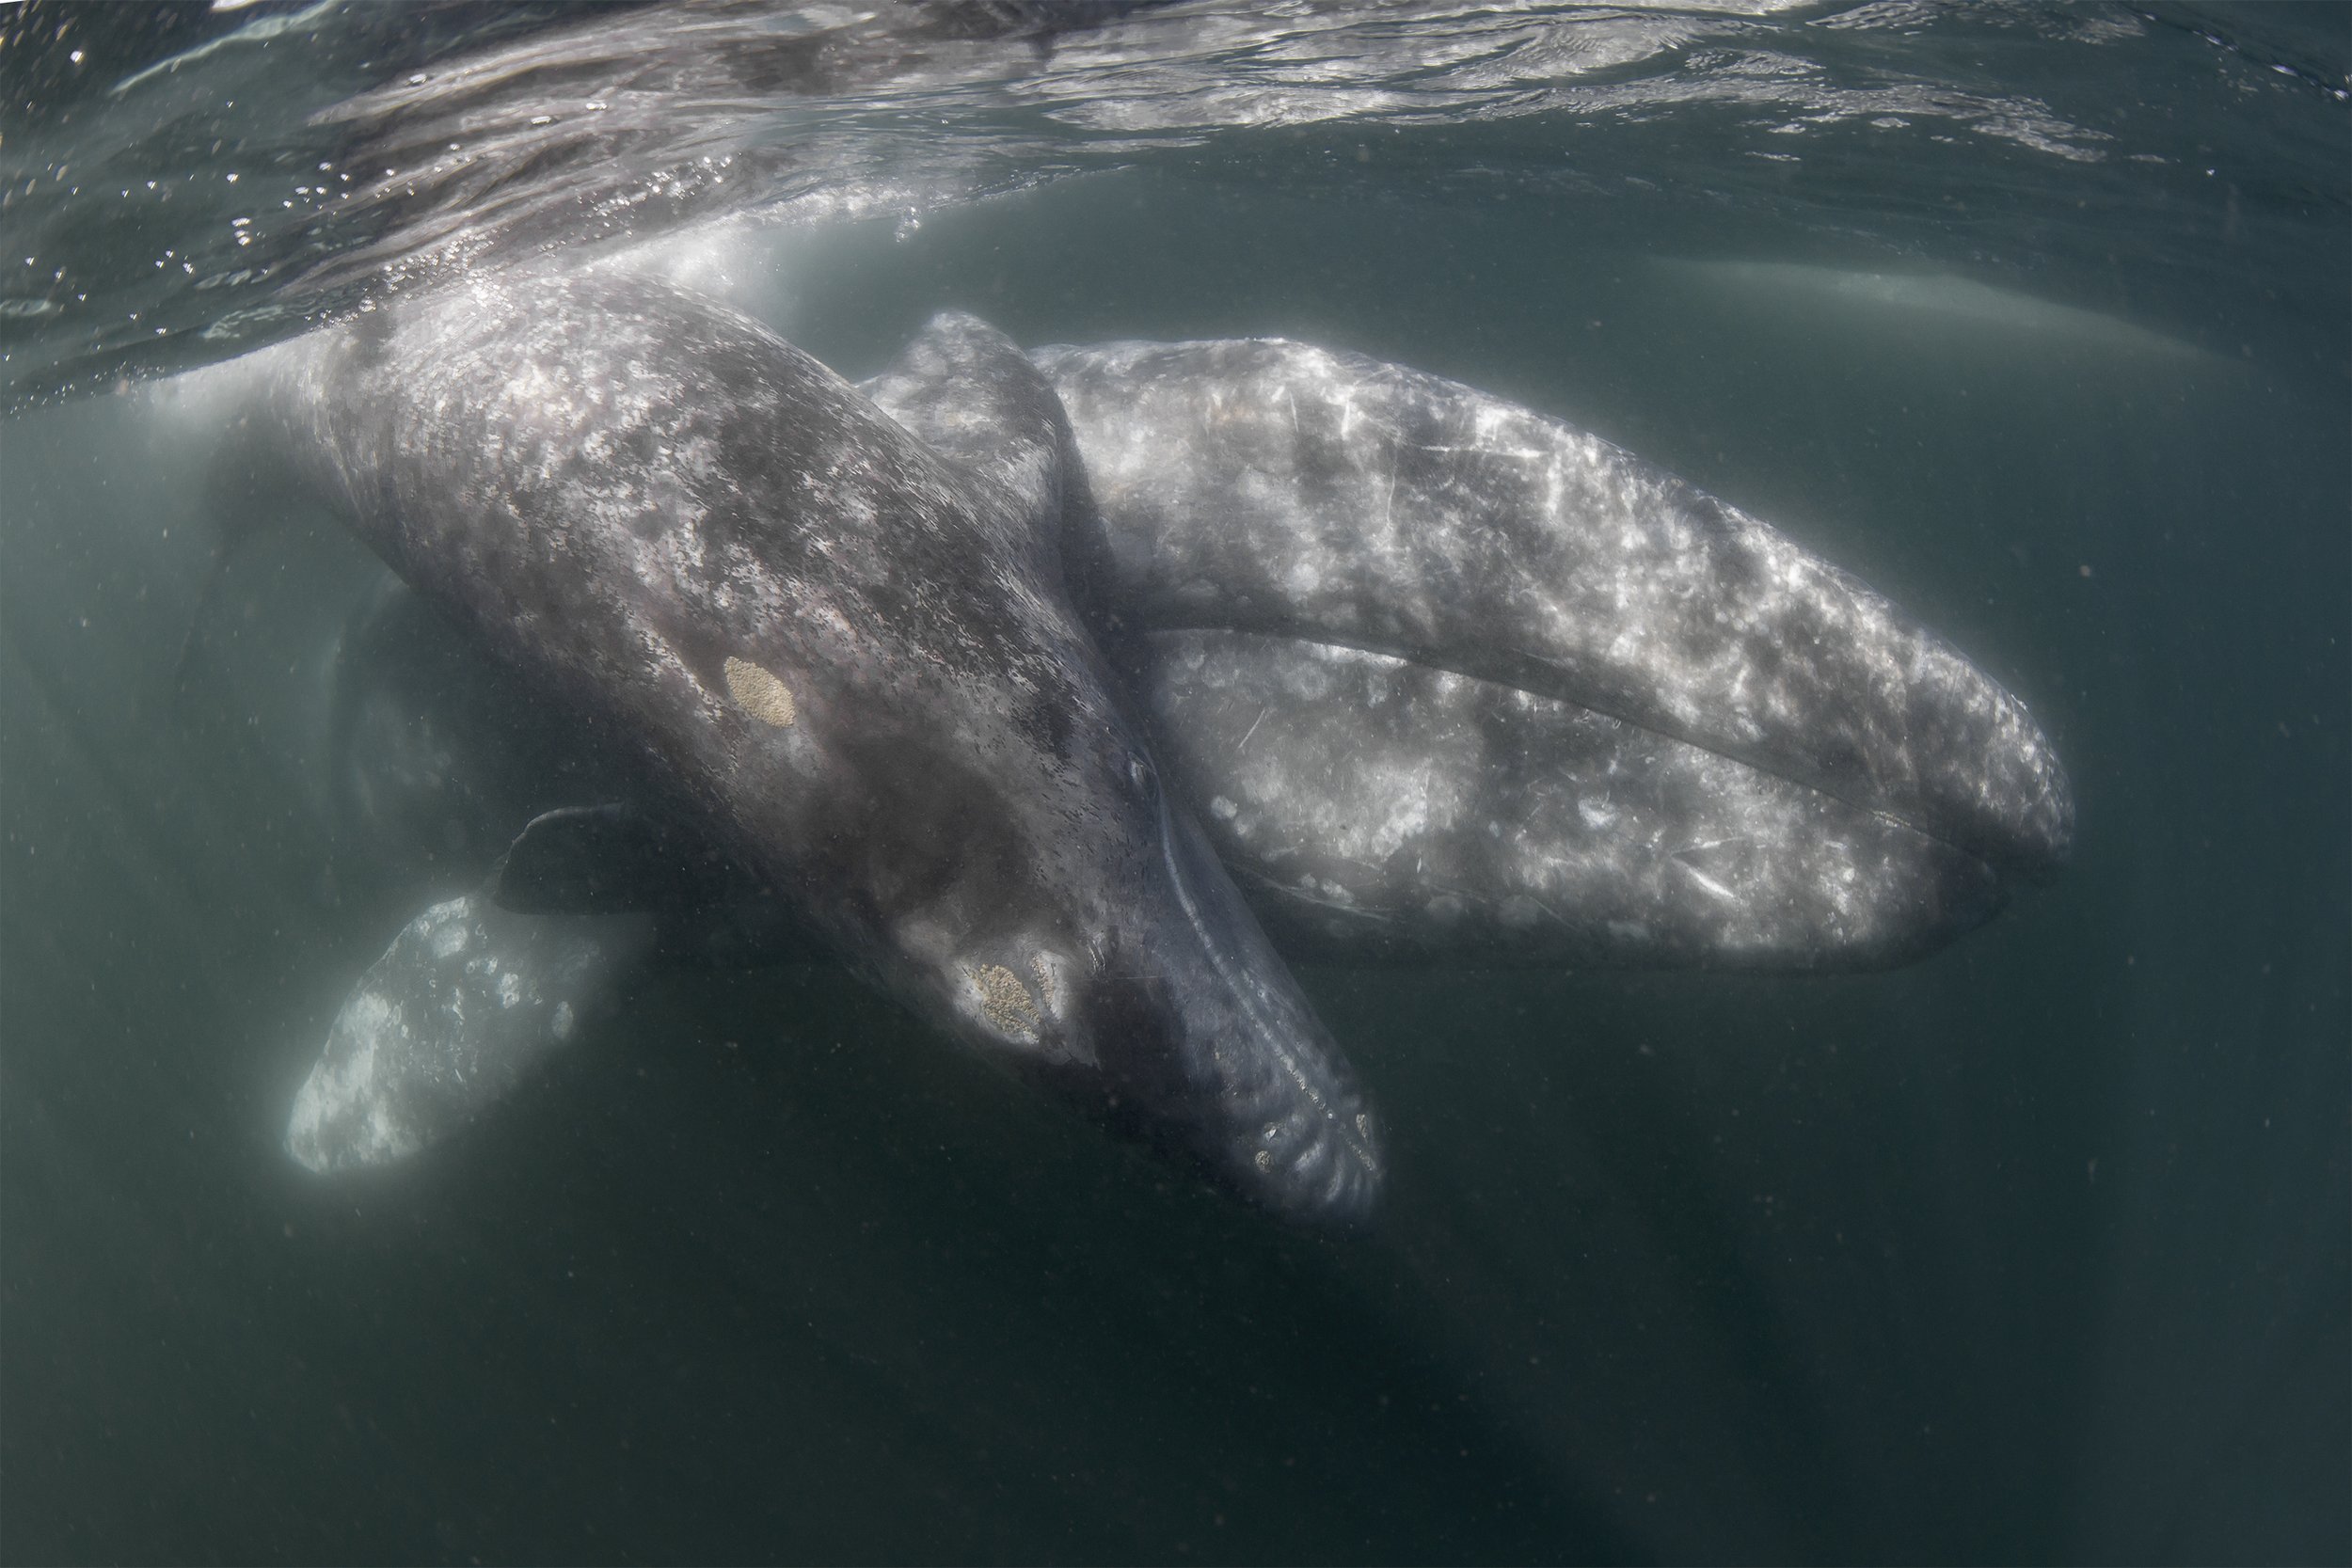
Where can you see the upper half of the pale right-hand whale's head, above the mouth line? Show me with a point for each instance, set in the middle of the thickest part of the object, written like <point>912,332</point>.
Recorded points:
<point>1288,490</point>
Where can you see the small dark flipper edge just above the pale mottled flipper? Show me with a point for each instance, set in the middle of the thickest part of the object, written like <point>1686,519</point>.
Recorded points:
<point>610,862</point>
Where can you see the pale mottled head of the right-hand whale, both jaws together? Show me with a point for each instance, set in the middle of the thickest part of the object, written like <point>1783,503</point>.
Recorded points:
<point>1457,681</point>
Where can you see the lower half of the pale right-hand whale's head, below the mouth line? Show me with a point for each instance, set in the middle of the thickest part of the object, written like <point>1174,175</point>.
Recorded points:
<point>1387,810</point>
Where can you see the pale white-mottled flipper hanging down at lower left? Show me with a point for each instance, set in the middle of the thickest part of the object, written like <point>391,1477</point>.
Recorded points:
<point>455,1014</point>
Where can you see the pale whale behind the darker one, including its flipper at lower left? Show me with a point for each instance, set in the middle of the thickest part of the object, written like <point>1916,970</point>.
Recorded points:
<point>1445,681</point>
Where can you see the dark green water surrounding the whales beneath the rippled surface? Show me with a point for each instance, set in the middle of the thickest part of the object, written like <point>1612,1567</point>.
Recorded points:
<point>2040,1249</point>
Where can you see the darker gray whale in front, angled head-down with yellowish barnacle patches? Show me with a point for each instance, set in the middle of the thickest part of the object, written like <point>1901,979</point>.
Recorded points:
<point>843,662</point>
